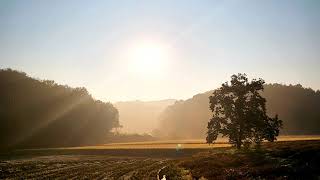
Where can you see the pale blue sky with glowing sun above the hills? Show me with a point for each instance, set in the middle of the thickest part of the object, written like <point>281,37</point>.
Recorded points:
<point>151,49</point>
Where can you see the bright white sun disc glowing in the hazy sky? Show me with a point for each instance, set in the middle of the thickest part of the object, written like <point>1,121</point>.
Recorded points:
<point>148,59</point>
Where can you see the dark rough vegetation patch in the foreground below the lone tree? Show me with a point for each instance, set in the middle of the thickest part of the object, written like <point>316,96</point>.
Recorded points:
<point>280,160</point>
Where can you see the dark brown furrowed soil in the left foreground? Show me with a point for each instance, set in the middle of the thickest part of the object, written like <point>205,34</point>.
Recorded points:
<point>82,167</point>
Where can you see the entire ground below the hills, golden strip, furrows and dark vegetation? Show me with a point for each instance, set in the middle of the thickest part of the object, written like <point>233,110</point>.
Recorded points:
<point>124,161</point>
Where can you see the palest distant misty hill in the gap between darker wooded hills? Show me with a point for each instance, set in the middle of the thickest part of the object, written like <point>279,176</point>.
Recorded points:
<point>141,116</point>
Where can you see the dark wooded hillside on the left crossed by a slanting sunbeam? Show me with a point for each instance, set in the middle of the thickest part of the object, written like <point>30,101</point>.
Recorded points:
<point>41,113</point>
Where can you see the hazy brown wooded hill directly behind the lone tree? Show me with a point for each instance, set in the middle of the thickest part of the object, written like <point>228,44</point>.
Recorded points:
<point>298,107</point>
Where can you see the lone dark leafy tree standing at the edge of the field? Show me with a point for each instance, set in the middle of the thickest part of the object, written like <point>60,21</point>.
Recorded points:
<point>239,112</point>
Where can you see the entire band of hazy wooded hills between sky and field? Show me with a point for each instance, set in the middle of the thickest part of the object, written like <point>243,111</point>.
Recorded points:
<point>35,110</point>
